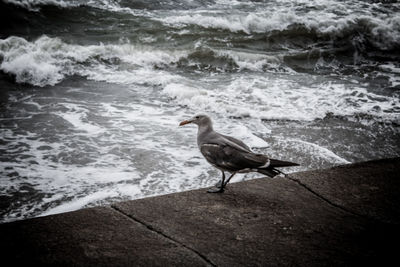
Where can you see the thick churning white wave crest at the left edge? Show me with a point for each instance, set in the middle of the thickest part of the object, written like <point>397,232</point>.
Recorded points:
<point>47,61</point>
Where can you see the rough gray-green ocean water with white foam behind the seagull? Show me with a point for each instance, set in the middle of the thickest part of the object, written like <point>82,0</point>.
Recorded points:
<point>91,92</point>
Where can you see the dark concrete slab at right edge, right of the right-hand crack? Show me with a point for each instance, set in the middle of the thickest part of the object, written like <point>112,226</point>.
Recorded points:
<point>369,189</point>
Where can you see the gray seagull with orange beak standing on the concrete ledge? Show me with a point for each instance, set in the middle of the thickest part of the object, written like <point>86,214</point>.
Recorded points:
<point>229,154</point>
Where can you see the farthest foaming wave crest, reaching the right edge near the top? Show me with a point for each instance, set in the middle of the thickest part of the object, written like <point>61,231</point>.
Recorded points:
<point>382,32</point>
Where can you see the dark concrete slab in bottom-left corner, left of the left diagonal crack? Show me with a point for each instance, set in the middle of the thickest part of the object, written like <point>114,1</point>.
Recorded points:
<point>89,237</point>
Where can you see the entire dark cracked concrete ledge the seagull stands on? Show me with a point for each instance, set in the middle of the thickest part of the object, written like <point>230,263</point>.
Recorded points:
<point>347,215</point>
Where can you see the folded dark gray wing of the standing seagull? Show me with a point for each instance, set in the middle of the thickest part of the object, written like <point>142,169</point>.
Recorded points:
<point>230,158</point>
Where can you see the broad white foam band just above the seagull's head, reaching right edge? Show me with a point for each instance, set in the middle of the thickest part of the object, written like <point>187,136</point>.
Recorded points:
<point>280,99</point>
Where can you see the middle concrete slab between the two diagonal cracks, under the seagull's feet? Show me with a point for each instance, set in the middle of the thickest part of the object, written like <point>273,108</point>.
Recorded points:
<point>264,222</point>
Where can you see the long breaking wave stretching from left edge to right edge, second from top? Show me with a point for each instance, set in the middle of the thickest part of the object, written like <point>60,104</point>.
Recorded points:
<point>47,61</point>
